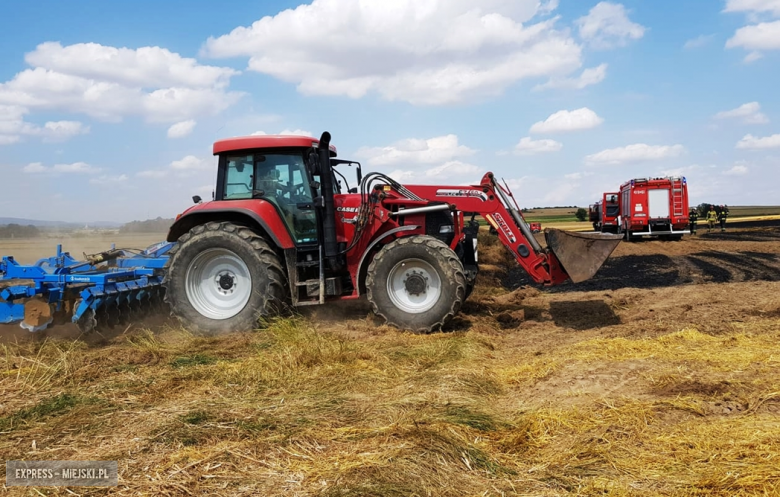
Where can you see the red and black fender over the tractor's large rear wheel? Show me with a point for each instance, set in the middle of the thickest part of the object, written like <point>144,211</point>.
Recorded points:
<point>270,226</point>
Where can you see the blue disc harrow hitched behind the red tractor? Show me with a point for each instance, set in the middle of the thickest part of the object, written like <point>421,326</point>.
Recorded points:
<point>106,289</point>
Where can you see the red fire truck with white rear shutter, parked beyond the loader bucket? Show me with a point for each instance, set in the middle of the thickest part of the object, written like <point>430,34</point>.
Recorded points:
<point>654,207</point>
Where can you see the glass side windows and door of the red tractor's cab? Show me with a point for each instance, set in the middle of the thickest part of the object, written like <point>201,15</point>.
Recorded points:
<point>279,179</point>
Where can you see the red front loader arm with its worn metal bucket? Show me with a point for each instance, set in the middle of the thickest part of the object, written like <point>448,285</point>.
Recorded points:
<point>568,255</point>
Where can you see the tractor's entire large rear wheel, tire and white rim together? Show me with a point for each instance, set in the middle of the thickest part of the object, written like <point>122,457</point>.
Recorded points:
<point>222,278</point>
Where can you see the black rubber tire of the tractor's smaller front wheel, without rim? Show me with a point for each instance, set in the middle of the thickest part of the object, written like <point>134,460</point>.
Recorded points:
<point>441,259</point>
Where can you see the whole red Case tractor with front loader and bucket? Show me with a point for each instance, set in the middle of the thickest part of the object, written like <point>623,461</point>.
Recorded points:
<point>285,227</point>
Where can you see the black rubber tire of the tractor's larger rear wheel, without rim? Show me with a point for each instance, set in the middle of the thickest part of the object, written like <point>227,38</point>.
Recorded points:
<point>268,292</point>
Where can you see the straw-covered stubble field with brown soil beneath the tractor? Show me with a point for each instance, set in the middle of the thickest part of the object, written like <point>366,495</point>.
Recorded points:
<point>658,377</point>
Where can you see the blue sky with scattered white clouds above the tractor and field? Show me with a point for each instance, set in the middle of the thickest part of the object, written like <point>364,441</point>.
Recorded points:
<point>108,110</point>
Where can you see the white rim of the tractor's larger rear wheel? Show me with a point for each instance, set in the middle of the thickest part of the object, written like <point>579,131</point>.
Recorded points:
<point>218,283</point>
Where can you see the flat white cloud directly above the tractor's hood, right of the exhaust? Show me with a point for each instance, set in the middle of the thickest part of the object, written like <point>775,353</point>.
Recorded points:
<point>439,149</point>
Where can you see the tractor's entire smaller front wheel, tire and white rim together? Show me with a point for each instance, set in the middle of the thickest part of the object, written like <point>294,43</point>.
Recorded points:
<point>416,283</point>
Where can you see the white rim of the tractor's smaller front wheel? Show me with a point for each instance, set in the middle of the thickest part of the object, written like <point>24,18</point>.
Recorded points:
<point>414,286</point>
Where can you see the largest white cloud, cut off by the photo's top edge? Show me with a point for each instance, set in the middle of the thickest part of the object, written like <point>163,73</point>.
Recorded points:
<point>426,52</point>
